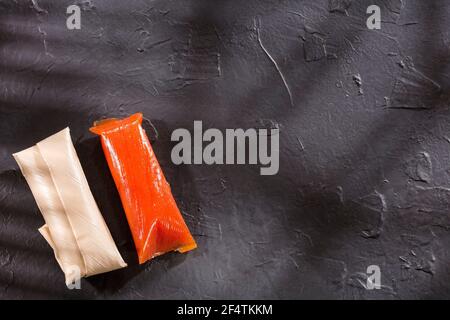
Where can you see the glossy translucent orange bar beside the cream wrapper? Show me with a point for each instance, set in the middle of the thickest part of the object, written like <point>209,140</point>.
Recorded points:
<point>154,218</point>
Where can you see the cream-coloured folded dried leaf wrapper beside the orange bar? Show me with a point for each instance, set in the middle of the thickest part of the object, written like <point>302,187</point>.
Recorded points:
<point>74,226</point>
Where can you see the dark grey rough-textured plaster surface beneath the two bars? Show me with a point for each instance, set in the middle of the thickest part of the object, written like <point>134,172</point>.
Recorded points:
<point>364,141</point>
